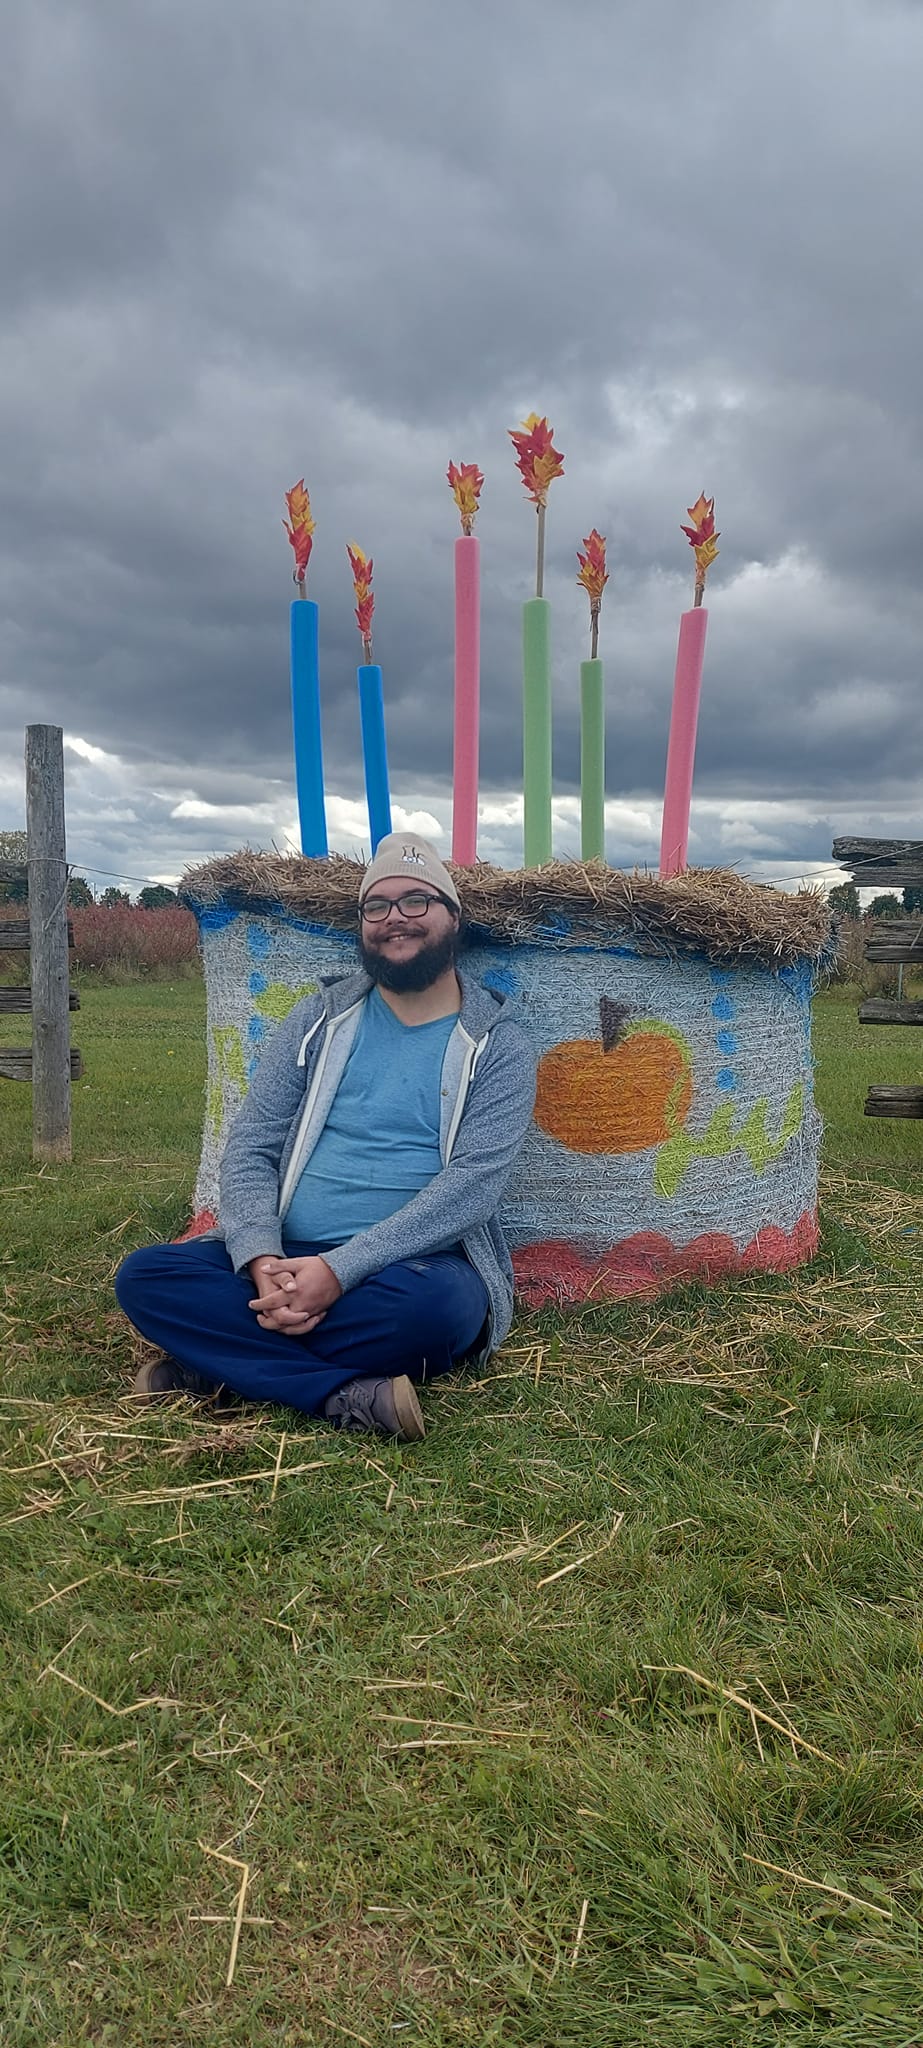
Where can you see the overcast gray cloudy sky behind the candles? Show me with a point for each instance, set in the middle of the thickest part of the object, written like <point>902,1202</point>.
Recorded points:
<point>245,245</point>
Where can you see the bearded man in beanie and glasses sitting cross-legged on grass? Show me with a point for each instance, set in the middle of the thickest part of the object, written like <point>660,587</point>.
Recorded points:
<point>359,1246</point>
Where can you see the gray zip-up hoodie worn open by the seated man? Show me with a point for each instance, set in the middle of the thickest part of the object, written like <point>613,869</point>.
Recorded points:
<point>488,1095</point>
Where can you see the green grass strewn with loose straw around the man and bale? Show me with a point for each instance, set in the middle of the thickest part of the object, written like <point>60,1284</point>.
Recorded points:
<point>595,1721</point>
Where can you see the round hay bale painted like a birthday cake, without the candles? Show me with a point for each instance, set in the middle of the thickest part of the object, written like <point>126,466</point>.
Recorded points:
<point>676,1132</point>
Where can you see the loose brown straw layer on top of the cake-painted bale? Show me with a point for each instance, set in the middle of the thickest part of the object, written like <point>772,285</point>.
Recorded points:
<point>705,910</point>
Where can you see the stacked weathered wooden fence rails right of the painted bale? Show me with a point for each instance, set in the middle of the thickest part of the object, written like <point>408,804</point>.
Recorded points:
<point>895,941</point>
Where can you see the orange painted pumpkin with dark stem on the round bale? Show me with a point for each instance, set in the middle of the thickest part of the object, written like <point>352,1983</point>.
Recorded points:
<point>627,1091</point>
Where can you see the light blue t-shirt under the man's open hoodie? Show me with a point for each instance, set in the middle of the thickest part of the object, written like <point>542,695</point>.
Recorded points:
<point>382,1142</point>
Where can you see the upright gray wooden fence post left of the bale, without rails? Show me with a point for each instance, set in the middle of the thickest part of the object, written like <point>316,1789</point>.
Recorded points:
<point>48,937</point>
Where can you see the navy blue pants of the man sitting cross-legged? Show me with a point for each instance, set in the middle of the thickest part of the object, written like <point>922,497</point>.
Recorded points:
<point>416,1318</point>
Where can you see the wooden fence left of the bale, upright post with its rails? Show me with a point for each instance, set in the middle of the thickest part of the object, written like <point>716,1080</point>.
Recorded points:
<point>50,1062</point>
